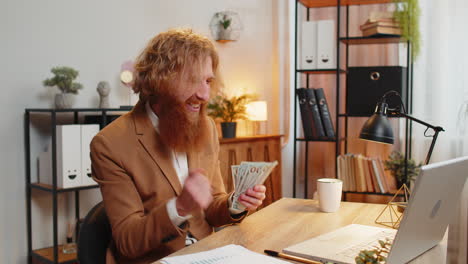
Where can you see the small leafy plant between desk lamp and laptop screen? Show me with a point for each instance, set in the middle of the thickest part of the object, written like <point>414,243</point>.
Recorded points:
<point>396,165</point>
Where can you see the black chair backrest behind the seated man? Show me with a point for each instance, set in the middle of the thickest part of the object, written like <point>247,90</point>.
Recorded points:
<point>94,237</point>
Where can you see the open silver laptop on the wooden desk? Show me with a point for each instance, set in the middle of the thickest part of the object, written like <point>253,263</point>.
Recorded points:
<point>431,207</point>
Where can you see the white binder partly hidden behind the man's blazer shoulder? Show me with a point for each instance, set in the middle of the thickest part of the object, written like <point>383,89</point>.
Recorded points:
<point>87,134</point>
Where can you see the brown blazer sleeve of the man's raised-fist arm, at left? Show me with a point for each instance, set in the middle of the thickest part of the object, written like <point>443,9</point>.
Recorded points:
<point>135,232</point>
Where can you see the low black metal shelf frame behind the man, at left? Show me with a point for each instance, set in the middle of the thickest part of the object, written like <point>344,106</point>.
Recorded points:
<point>53,189</point>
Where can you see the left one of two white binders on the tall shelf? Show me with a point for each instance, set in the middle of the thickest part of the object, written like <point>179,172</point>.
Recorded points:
<point>309,45</point>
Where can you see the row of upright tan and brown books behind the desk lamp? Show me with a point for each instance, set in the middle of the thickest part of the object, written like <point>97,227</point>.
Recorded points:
<point>364,174</point>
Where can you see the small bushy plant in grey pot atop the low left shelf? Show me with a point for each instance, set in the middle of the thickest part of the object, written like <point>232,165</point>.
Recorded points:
<point>64,80</point>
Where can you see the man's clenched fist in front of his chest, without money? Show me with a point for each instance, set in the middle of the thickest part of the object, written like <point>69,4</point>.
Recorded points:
<point>196,193</point>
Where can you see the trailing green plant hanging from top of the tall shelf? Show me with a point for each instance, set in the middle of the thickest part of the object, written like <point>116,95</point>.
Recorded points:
<point>407,13</point>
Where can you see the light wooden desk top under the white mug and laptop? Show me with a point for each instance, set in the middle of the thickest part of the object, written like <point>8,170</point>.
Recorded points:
<point>289,221</point>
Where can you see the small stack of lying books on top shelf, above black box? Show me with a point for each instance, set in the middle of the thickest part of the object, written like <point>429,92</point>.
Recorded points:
<point>380,23</point>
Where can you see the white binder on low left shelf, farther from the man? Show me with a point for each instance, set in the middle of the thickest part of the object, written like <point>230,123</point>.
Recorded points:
<point>68,156</point>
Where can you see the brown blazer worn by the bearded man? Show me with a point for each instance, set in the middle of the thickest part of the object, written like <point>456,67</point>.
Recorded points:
<point>136,177</point>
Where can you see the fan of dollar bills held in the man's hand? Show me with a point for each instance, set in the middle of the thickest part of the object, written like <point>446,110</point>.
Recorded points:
<point>247,175</point>
